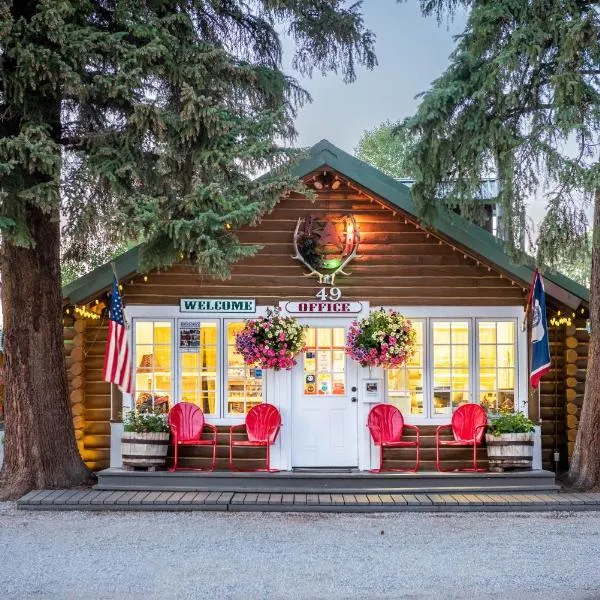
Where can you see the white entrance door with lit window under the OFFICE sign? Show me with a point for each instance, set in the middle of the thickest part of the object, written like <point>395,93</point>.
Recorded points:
<point>324,401</point>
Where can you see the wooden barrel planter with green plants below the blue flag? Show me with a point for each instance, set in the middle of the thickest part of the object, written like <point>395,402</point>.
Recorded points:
<point>509,441</point>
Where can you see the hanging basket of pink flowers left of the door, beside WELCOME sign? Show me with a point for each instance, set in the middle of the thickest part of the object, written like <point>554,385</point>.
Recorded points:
<point>270,342</point>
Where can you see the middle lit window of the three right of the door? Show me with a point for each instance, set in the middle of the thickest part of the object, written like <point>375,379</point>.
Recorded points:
<point>450,366</point>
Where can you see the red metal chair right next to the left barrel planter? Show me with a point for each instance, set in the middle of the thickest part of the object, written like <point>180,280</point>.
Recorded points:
<point>187,423</point>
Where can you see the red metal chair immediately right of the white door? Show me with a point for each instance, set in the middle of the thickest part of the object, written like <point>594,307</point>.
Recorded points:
<point>387,425</point>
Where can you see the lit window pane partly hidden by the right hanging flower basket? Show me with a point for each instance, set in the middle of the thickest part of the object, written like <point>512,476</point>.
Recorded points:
<point>405,384</point>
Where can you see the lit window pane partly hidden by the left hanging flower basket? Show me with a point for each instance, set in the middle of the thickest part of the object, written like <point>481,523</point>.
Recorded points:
<point>244,383</point>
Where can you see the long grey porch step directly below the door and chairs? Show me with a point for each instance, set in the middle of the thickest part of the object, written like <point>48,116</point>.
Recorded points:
<point>523,482</point>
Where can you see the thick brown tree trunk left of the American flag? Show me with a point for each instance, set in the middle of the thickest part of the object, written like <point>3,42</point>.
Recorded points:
<point>39,445</point>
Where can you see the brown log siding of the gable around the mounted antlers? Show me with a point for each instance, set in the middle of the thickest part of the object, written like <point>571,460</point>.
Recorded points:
<point>397,265</point>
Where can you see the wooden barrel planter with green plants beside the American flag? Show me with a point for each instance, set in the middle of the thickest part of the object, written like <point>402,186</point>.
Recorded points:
<point>145,439</point>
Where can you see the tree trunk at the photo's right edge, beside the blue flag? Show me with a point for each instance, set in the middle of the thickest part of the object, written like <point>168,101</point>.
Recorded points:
<point>585,466</point>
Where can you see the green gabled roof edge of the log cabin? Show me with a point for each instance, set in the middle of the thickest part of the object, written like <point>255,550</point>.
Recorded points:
<point>450,225</point>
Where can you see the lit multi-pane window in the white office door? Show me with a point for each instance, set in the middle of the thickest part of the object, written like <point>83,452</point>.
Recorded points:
<point>325,362</point>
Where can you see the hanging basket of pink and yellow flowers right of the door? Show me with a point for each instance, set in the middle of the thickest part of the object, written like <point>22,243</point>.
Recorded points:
<point>383,339</point>
